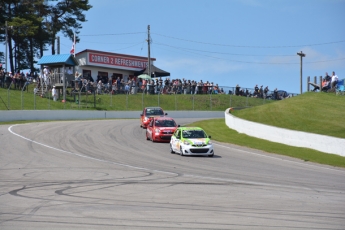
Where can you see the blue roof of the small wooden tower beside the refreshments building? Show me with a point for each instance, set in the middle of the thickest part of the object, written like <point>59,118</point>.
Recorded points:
<point>58,60</point>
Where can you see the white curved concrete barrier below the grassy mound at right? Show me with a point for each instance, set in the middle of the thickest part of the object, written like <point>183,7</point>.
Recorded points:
<point>318,142</point>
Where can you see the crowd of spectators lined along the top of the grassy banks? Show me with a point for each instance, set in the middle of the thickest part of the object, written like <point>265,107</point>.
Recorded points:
<point>117,85</point>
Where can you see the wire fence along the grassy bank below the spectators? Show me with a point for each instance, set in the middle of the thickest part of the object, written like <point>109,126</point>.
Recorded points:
<point>136,98</point>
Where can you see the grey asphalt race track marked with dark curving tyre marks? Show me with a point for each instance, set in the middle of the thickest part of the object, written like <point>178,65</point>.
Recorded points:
<point>106,175</point>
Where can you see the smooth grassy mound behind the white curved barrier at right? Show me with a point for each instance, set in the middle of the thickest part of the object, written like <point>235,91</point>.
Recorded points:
<point>320,113</point>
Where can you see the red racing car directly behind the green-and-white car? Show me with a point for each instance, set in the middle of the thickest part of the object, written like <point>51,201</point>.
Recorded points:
<point>160,129</point>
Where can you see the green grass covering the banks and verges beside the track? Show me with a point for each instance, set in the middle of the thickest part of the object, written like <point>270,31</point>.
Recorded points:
<point>320,113</point>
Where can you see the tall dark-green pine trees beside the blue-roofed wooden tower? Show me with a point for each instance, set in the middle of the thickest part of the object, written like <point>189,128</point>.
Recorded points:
<point>32,26</point>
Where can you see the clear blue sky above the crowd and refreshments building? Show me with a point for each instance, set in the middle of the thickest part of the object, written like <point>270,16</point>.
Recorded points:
<point>229,42</point>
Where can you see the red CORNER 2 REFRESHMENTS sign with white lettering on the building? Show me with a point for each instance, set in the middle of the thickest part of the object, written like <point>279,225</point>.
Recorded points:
<point>126,62</point>
